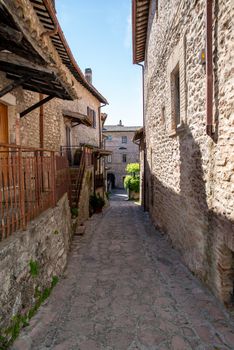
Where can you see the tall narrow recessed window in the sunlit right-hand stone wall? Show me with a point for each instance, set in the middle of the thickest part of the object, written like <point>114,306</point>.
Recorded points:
<point>175,93</point>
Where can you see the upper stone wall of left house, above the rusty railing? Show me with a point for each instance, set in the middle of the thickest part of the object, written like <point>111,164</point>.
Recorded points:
<point>28,133</point>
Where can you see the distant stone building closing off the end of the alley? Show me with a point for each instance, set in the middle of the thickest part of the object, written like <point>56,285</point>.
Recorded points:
<point>118,140</point>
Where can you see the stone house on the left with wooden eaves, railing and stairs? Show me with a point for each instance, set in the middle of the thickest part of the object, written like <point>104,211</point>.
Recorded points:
<point>48,108</point>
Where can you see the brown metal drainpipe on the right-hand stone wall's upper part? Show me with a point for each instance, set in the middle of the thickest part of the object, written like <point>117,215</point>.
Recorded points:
<point>209,68</point>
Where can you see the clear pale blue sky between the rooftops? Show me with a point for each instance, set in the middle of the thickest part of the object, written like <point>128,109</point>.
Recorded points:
<point>99,35</point>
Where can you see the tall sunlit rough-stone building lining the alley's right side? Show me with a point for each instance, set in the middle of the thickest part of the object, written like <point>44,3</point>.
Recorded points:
<point>187,49</point>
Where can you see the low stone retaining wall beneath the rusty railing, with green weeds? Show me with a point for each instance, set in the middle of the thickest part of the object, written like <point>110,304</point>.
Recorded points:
<point>45,244</point>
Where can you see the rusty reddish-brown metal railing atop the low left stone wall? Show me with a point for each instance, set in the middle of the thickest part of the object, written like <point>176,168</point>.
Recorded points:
<point>31,181</point>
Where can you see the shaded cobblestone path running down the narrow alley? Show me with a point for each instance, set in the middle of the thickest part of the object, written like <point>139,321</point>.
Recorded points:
<point>126,288</point>
